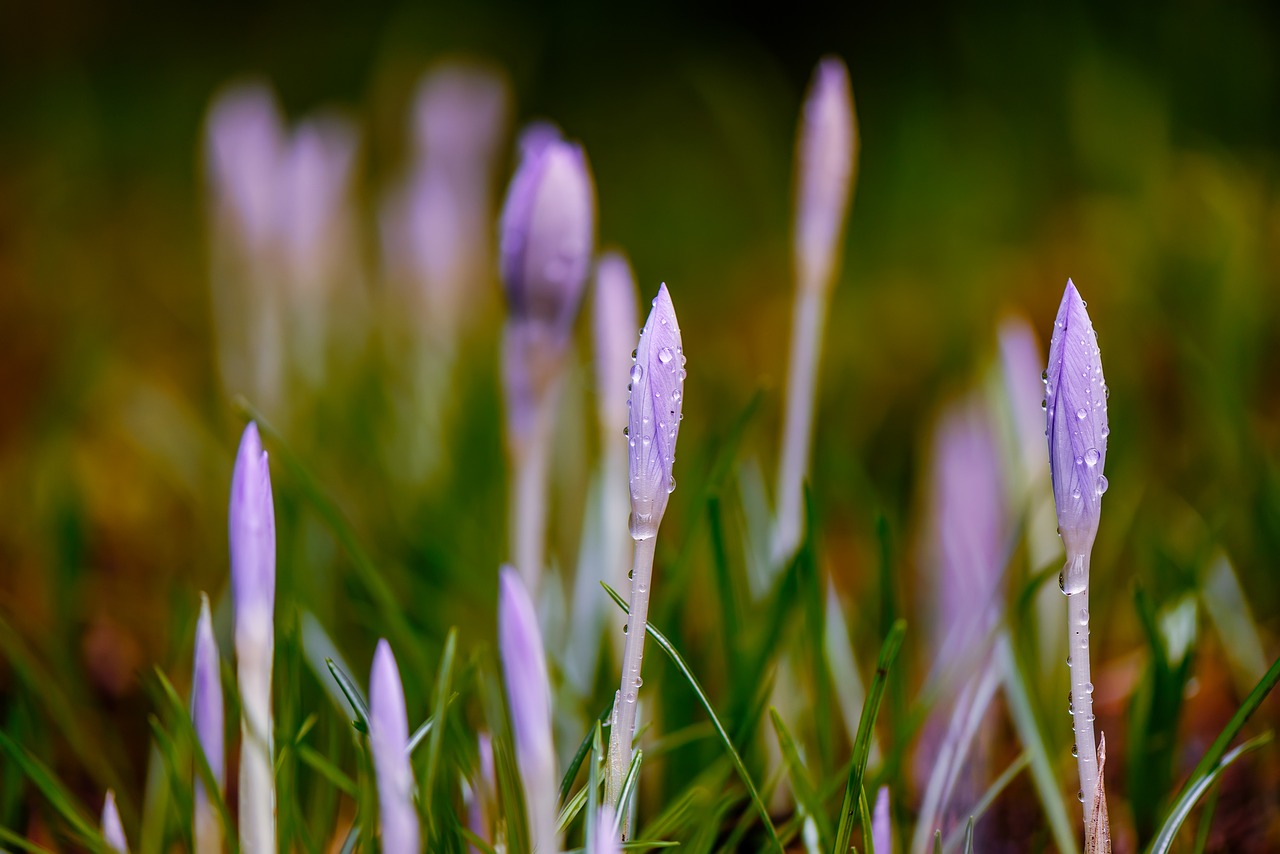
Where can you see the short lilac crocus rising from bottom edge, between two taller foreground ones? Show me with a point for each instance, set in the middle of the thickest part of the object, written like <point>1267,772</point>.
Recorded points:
<point>388,739</point>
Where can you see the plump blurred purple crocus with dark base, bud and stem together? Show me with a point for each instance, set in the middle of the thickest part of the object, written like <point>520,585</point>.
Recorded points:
<point>547,235</point>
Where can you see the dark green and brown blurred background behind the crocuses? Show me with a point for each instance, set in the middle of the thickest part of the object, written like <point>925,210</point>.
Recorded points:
<point>1003,150</point>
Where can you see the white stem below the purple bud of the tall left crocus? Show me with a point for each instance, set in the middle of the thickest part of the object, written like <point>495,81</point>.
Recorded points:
<point>254,652</point>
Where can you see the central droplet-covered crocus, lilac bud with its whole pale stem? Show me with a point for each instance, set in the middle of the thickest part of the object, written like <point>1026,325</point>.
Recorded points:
<point>653,427</point>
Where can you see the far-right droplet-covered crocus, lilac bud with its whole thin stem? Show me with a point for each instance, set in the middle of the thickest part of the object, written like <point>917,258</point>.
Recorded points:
<point>1076,403</point>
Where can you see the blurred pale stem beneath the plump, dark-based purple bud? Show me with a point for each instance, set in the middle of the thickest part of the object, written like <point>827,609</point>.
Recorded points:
<point>529,497</point>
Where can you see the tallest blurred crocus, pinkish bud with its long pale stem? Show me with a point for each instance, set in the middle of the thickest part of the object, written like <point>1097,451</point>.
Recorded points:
<point>826,162</point>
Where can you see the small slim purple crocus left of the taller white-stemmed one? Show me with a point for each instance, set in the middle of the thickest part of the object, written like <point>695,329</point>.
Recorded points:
<point>207,719</point>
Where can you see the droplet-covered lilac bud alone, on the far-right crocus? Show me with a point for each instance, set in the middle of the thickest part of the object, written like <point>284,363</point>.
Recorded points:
<point>1076,405</point>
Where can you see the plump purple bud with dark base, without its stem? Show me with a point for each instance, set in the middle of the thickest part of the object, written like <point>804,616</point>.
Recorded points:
<point>548,230</point>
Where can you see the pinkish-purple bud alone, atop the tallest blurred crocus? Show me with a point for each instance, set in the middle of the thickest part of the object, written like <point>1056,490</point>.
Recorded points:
<point>825,171</point>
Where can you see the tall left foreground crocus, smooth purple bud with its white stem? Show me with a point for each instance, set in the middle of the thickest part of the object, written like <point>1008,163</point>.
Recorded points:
<point>253,547</point>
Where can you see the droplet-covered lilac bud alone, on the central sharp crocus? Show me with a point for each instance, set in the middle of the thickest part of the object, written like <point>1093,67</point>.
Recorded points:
<point>653,426</point>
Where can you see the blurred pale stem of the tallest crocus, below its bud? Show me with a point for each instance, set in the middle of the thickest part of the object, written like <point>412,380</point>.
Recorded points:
<point>807,330</point>
